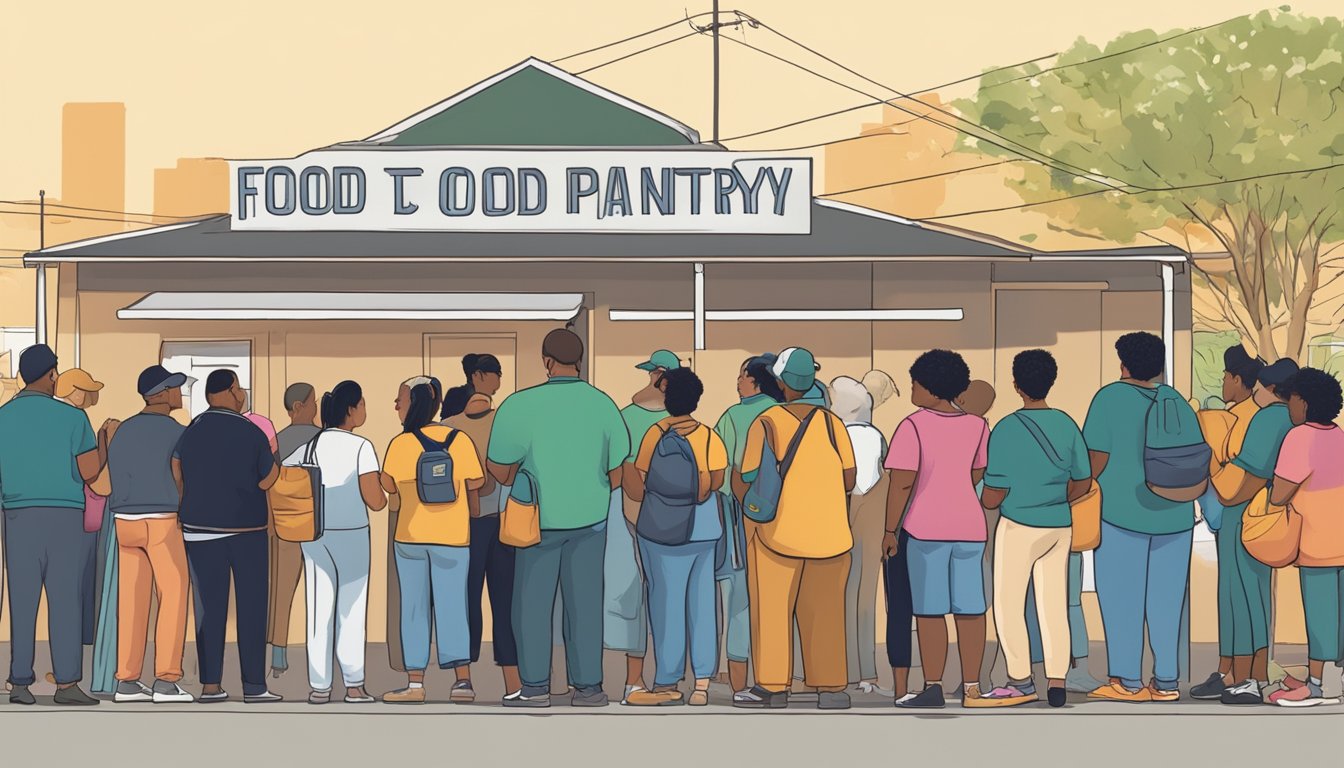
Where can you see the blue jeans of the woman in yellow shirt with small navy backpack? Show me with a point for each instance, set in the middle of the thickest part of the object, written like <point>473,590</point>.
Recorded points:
<point>433,580</point>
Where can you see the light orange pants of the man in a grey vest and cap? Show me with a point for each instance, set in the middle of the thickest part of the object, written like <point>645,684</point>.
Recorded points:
<point>153,560</point>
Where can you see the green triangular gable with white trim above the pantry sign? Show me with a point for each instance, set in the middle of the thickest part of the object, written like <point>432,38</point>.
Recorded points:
<point>537,104</point>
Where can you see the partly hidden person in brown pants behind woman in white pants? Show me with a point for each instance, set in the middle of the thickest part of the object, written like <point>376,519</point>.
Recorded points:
<point>287,558</point>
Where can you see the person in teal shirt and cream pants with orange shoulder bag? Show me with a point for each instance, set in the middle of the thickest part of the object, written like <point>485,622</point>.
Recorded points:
<point>1038,465</point>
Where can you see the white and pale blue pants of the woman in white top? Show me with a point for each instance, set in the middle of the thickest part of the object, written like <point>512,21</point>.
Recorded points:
<point>337,586</point>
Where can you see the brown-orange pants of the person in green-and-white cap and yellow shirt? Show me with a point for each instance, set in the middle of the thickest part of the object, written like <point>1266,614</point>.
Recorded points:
<point>782,588</point>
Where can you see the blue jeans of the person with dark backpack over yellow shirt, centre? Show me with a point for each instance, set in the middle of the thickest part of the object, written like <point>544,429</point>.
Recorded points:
<point>682,607</point>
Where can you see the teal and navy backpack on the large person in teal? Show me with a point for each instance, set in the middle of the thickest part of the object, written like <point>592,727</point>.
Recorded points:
<point>1177,458</point>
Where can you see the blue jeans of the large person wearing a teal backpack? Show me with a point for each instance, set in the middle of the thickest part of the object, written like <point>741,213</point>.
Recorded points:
<point>1142,579</point>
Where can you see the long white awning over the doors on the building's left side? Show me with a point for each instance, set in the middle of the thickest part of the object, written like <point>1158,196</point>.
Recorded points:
<point>345,306</point>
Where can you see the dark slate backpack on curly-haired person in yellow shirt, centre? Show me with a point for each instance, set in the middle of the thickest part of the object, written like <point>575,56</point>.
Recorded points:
<point>671,492</point>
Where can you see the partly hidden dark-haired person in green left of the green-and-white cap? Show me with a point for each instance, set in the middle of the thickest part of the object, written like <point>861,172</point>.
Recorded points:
<point>759,392</point>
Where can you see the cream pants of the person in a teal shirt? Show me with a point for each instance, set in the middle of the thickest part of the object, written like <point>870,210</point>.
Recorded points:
<point>1026,555</point>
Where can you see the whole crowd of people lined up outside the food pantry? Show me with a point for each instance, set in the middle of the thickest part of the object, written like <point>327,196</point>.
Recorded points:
<point>761,540</point>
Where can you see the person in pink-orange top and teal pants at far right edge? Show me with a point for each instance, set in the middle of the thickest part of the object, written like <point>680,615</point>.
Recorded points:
<point>1310,478</point>
